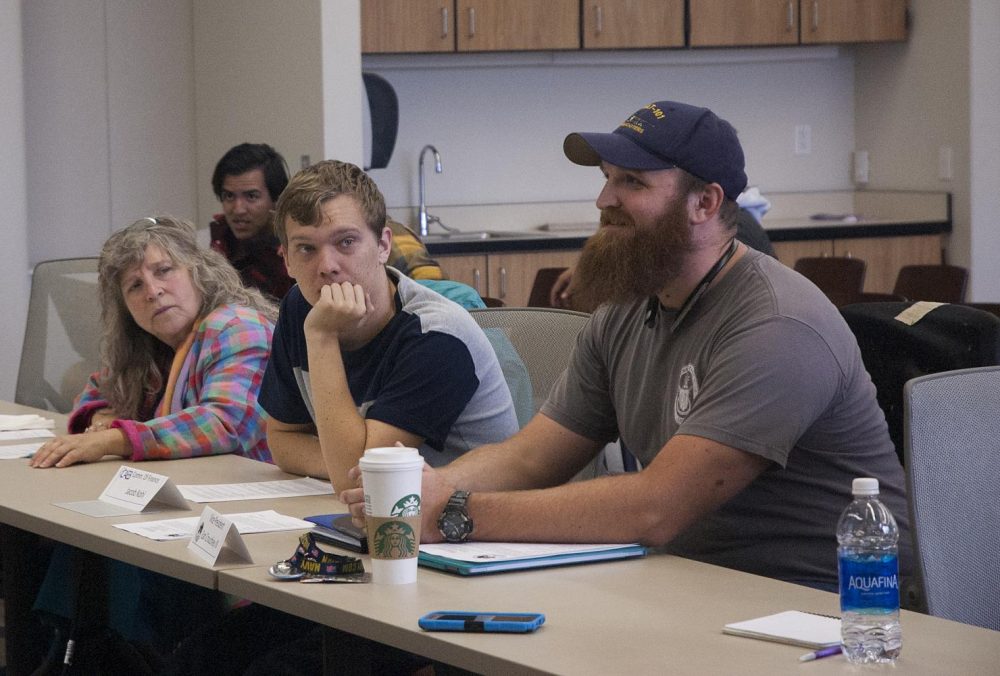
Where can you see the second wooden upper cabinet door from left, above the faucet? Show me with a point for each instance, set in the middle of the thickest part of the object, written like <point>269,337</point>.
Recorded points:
<point>517,25</point>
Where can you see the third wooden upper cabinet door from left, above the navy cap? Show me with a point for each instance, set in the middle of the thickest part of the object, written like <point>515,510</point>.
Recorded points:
<point>624,24</point>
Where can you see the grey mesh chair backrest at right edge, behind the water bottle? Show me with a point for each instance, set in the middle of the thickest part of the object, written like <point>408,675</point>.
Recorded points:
<point>952,468</point>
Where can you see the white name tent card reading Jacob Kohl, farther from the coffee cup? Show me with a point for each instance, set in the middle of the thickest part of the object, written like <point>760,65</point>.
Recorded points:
<point>131,491</point>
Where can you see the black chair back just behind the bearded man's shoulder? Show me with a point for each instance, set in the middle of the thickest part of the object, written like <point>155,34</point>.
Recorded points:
<point>947,338</point>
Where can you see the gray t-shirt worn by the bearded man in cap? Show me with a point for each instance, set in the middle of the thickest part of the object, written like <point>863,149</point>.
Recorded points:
<point>762,363</point>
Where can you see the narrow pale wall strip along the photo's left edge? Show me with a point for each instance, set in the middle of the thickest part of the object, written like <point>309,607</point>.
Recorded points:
<point>13,254</point>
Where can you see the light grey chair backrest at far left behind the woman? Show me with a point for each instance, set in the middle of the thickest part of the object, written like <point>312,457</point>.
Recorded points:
<point>62,334</point>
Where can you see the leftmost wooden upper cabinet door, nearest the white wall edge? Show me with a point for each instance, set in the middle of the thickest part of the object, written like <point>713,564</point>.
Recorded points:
<point>392,26</point>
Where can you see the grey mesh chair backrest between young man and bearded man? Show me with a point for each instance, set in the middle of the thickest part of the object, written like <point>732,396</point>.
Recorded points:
<point>542,337</point>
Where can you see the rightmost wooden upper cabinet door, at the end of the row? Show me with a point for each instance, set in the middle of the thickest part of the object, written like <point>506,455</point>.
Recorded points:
<point>830,21</point>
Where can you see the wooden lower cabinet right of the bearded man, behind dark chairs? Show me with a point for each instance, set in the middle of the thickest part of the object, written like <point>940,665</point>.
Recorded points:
<point>883,256</point>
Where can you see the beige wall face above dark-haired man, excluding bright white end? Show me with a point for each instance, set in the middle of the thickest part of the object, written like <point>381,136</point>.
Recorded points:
<point>258,75</point>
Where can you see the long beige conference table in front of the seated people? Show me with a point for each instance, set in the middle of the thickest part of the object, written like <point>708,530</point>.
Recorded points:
<point>651,615</point>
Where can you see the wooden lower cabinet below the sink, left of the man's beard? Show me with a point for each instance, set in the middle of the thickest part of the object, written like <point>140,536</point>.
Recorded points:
<point>507,276</point>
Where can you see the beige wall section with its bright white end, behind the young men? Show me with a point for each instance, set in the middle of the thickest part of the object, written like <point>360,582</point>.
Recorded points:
<point>282,73</point>
